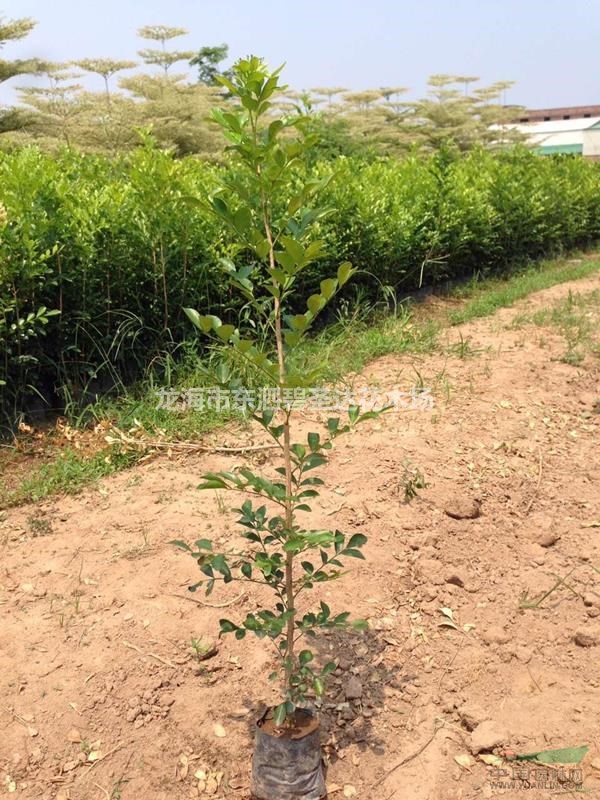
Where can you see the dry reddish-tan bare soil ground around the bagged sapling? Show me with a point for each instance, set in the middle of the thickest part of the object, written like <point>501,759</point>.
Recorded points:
<point>102,697</point>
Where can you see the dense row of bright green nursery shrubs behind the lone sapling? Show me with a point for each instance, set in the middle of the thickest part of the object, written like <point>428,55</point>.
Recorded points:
<point>98,256</point>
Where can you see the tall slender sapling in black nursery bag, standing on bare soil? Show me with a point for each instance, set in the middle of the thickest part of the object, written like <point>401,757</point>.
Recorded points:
<point>267,198</point>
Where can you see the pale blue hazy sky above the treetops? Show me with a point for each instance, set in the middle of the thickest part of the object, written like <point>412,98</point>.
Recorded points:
<point>549,47</point>
